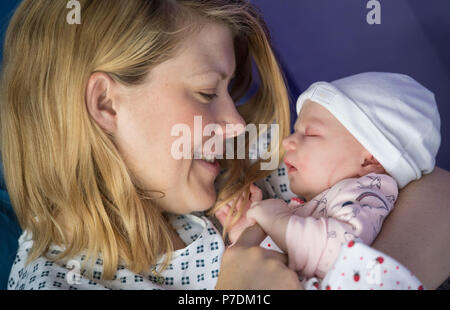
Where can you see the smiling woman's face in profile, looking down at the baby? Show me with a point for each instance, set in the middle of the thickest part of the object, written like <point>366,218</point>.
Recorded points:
<point>194,83</point>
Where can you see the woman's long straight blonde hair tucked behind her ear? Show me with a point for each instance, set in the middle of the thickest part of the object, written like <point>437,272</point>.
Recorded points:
<point>61,169</point>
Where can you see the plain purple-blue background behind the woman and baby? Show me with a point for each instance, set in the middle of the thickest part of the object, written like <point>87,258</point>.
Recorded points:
<point>326,40</point>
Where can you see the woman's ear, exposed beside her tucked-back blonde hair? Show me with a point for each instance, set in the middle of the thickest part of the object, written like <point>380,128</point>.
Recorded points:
<point>100,101</point>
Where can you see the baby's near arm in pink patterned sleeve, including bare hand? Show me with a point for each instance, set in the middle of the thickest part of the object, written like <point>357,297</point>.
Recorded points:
<point>354,208</point>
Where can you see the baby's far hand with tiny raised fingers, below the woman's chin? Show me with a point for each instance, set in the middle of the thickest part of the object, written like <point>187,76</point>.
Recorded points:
<point>244,222</point>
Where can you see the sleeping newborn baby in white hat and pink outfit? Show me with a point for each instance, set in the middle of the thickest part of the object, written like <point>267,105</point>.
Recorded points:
<point>356,141</point>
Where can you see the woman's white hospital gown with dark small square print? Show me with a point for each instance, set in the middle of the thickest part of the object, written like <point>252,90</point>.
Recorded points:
<point>194,267</point>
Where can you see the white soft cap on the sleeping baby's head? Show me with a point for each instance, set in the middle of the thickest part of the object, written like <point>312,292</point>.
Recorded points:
<point>394,117</point>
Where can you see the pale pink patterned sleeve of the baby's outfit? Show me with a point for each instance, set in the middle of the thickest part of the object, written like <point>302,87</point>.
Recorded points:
<point>353,208</point>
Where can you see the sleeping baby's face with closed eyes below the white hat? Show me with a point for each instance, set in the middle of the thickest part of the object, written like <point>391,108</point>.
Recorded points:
<point>321,152</point>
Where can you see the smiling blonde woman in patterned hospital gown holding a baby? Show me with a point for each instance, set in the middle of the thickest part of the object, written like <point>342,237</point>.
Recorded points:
<point>86,143</point>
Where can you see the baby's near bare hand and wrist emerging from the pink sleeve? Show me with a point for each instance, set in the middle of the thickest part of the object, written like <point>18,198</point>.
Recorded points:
<point>273,216</point>
